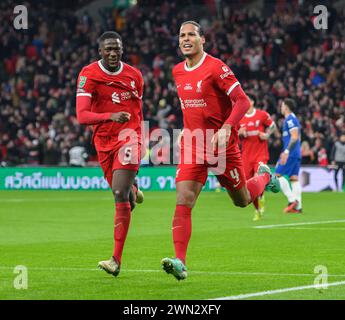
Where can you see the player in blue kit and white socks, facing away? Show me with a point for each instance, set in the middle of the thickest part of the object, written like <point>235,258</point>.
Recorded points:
<point>290,159</point>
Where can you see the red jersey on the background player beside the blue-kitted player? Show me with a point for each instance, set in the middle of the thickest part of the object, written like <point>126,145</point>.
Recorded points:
<point>253,148</point>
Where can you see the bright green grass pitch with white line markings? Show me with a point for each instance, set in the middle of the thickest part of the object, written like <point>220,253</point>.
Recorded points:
<point>60,237</point>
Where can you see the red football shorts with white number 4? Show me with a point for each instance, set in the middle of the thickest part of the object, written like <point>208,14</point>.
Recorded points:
<point>232,178</point>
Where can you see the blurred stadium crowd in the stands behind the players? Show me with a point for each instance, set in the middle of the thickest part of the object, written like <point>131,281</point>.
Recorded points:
<point>276,54</point>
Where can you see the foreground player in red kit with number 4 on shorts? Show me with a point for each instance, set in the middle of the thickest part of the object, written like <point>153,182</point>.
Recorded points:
<point>211,99</point>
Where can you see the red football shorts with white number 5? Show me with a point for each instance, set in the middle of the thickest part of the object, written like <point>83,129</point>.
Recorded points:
<point>124,157</point>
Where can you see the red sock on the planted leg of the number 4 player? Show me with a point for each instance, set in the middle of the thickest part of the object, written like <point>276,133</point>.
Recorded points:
<point>182,230</point>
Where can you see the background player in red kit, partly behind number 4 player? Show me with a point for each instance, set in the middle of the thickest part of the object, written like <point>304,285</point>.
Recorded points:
<point>255,128</point>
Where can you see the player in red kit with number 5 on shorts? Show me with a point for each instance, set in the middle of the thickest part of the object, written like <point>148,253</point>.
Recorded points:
<point>109,97</point>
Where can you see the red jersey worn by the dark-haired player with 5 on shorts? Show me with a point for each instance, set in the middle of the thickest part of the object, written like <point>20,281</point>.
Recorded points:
<point>113,92</point>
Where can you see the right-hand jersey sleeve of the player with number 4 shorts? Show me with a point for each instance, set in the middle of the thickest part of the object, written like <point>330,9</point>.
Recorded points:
<point>224,78</point>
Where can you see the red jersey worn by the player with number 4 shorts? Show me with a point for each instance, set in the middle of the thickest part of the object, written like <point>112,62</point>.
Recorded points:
<point>204,92</point>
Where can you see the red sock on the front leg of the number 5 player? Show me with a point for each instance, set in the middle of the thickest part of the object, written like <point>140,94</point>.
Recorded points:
<point>121,225</point>
